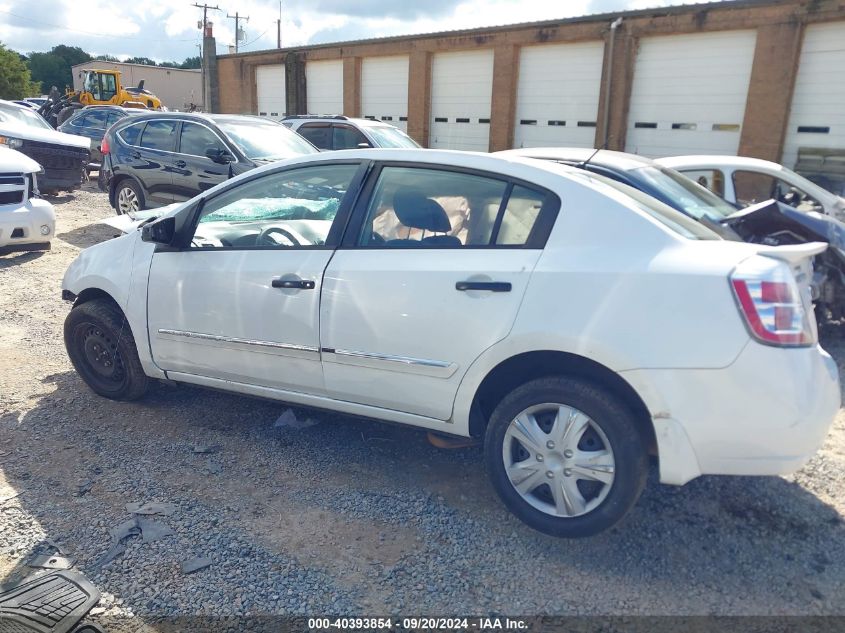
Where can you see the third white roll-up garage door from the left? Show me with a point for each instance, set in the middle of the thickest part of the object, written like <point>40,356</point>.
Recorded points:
<point>384,89</point>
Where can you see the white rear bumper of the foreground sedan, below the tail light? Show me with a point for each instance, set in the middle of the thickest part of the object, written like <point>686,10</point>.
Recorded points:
<point>765,414</point>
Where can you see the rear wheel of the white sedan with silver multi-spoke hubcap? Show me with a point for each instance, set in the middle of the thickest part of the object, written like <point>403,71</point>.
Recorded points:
<point>565,456</point>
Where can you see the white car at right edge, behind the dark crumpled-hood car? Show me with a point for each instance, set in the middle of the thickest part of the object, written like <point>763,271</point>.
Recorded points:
<point>745,181</point>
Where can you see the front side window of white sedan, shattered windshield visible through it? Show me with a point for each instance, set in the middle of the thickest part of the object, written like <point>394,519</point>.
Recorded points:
<point>290,209</point>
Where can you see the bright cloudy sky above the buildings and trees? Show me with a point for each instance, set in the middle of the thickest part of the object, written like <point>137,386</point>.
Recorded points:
<point>167,30</point>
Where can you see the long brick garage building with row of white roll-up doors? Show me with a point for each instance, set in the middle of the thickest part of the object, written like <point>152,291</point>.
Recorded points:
<point>762,78</point>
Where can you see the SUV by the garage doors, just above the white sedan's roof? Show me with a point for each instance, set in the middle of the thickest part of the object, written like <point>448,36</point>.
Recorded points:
<point>342,132</point>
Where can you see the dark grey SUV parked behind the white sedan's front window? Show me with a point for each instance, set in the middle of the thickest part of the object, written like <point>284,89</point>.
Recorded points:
<point>156,159</point>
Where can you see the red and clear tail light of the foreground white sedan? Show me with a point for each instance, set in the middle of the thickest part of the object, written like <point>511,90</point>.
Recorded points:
<point>775,310</point>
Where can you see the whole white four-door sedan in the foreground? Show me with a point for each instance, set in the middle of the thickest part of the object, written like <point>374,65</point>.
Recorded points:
<point>575,328</point>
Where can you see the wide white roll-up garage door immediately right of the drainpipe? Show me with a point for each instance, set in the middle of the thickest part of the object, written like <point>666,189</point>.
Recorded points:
<point>689,93</point>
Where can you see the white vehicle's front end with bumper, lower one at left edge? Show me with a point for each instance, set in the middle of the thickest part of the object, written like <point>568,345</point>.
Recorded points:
<point>27,222</point>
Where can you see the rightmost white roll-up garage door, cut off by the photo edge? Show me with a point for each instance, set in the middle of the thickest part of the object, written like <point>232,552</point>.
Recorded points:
<point>817,119</point>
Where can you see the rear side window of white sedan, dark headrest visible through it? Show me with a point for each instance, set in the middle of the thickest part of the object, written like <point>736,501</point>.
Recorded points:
<point>418,207</point>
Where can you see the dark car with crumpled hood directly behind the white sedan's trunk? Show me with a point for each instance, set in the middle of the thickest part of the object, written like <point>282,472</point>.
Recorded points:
<point>769,222</point>
